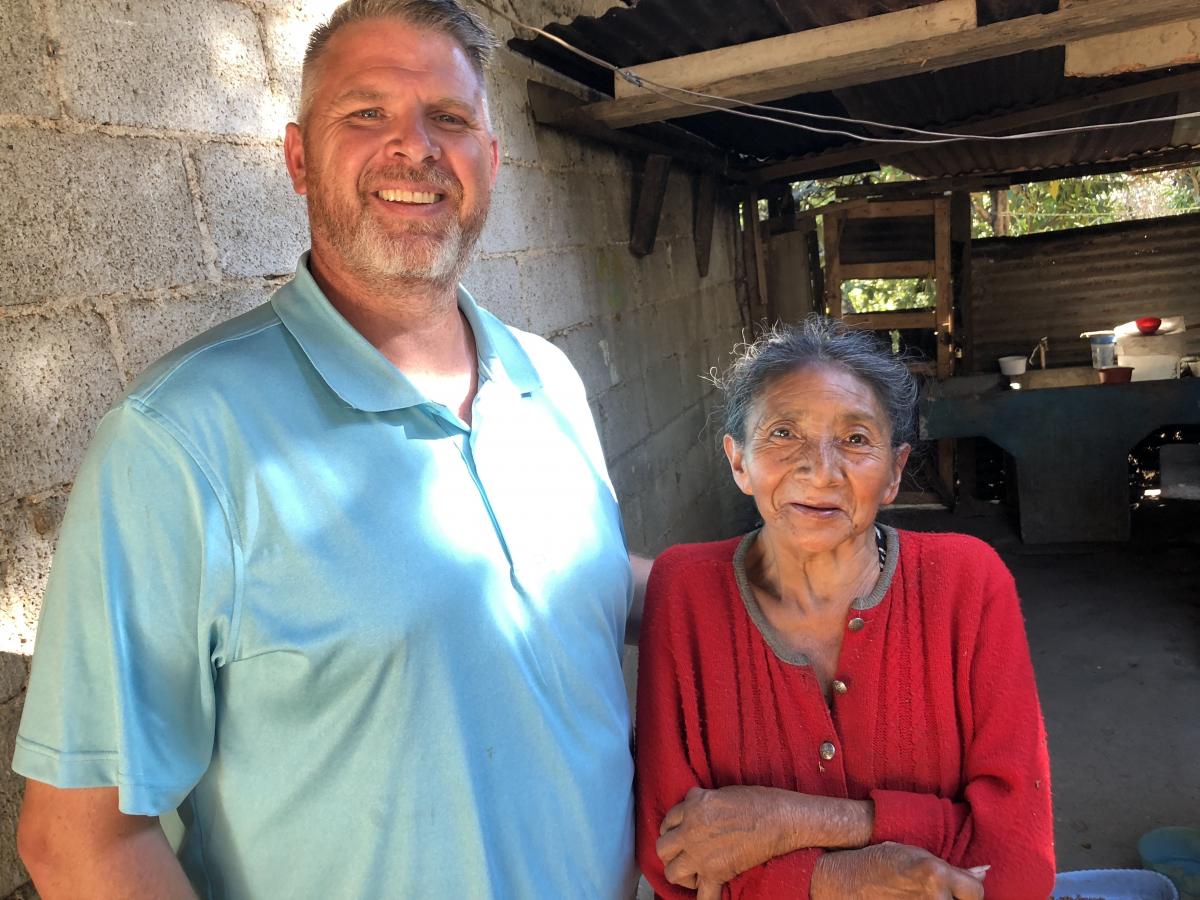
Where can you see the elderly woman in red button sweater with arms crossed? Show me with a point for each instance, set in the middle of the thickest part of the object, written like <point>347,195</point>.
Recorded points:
<point>829,707</point>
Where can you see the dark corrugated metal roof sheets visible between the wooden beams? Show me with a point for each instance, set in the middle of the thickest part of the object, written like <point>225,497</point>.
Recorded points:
<point>661,29</point>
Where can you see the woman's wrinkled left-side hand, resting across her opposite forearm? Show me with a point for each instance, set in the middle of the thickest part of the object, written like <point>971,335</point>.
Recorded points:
<point>715,836</point>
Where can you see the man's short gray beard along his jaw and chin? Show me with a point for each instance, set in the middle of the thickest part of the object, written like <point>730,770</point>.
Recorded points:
<point>419,255</point>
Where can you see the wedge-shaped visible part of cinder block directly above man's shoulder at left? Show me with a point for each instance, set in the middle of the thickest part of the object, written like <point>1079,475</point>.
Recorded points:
<point>153,328</point>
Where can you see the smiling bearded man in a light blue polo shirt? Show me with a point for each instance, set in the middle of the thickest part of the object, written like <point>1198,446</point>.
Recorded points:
<point>344,580</point>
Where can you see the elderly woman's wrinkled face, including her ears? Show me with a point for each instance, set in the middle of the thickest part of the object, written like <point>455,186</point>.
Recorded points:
<point>818,458</point>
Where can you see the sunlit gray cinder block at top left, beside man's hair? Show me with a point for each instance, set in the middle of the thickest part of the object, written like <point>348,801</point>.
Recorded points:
<point>167,64</point>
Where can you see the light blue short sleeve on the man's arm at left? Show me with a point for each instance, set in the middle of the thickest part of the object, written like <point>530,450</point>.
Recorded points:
<point>134,623</point>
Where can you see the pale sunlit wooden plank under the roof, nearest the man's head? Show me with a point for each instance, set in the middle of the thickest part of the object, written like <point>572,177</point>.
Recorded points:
<point>873,33</point>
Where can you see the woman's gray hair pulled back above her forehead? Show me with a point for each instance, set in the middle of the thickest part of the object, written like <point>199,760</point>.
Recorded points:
<point>820,340</point>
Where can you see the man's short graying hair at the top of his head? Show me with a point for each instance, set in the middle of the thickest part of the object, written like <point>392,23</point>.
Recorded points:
<point>446,16</point>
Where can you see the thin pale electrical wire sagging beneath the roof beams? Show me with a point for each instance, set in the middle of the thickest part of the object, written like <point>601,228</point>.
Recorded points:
<point>723,105</point>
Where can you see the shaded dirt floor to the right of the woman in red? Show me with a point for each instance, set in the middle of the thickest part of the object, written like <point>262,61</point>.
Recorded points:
<point>1115,635</point>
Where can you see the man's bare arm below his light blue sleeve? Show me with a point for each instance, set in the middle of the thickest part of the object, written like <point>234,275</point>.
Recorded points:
<point>77,843</point>
